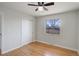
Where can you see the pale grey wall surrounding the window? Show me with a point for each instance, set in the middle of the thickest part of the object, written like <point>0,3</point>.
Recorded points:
<point>68,36</point>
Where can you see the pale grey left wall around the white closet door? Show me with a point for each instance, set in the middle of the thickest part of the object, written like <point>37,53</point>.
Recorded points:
<point>12,28</point>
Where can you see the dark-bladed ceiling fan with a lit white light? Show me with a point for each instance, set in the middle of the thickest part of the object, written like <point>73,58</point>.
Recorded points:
<point>41,6</point>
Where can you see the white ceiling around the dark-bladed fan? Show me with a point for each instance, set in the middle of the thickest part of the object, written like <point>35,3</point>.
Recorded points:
<point>57,8</point>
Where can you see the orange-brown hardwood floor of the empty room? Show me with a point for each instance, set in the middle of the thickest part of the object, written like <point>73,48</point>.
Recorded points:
<point>41,49</point>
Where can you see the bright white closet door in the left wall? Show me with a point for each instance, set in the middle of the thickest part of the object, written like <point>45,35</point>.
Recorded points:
<point>26,31</point>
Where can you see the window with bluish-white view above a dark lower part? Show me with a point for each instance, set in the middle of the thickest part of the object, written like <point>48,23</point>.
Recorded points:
<point>53,26</point>
